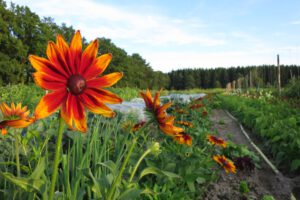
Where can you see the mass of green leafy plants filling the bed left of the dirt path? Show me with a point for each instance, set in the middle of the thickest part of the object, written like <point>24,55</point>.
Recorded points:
<point>90,163</point>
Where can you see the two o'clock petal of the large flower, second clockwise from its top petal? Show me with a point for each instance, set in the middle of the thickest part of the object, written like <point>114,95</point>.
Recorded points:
<point>98,66</point>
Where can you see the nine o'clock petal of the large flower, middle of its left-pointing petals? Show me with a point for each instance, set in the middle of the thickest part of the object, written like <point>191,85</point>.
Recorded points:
<point>48,82</point>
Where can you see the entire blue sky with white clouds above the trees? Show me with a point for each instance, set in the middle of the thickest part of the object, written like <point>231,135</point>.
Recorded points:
<point>177,34</point>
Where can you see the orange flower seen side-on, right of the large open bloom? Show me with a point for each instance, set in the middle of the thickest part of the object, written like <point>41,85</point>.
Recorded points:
<point>165,122</point>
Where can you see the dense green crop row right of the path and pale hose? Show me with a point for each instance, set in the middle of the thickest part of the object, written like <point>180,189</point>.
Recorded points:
<point>276,124</point>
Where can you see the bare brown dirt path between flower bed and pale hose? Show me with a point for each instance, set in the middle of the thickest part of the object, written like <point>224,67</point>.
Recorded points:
<point>260,181</point>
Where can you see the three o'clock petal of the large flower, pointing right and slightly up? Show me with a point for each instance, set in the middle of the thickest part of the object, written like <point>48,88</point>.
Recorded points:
<point>104,81</point>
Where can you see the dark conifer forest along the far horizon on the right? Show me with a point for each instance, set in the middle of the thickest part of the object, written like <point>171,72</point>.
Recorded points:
<point>255,76</point>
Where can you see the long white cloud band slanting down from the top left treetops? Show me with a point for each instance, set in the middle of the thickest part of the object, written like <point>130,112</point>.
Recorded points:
<point>97,19</point>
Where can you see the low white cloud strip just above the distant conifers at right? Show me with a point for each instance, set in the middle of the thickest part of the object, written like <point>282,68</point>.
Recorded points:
<point>167,61</point>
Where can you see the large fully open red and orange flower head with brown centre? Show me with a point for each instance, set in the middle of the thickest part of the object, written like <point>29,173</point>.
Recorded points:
<point>72,77</point>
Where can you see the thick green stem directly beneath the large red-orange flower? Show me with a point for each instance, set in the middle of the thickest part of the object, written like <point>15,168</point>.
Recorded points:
<point>56,158</point>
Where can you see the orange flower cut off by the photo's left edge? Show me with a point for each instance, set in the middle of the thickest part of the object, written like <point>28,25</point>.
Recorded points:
<point>14,116</point>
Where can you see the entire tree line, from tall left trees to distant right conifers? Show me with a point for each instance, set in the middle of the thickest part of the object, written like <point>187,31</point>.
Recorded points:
<point>22,32</point>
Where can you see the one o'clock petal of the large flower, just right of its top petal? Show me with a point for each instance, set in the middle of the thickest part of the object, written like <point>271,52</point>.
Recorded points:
<point>88,56</point>
